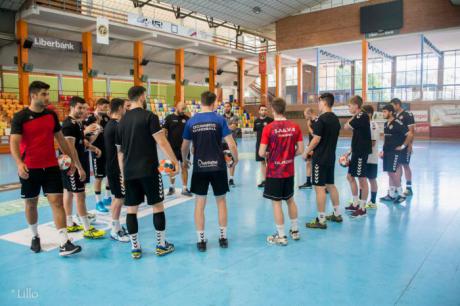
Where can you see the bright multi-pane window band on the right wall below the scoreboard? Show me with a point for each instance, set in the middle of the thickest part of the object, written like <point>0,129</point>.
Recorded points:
<point>441,77</point>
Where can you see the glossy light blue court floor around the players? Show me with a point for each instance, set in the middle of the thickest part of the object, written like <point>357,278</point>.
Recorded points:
<point>405,254</point>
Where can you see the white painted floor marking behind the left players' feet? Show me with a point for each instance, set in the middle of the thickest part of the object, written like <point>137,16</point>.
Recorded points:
<point>49,237</point>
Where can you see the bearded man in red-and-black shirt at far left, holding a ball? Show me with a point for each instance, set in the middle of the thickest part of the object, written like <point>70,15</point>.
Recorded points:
<point>33,132</point>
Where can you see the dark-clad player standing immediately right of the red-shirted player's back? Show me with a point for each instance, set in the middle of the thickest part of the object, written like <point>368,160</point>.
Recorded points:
<point>326,129</point>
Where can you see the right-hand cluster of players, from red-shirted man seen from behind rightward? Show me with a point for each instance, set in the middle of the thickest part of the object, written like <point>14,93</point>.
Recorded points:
<point>279,141</point>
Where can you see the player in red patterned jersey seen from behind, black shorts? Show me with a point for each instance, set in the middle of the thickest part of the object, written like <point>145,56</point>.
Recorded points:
<point>283,140</point>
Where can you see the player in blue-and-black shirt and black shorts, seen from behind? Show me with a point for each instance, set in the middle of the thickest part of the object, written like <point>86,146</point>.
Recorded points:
<point>206,130</point>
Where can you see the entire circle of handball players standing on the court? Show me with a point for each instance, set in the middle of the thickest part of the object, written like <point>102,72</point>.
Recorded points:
<point>122,137</point>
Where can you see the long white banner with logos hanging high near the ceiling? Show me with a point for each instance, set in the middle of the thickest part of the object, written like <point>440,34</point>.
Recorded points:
<point>168,27</point>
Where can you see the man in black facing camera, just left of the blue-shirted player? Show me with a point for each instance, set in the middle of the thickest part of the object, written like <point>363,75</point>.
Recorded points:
<point>174,128</point>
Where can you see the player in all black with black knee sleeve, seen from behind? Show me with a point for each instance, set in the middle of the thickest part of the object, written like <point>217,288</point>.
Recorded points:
<point>139,132</point>
